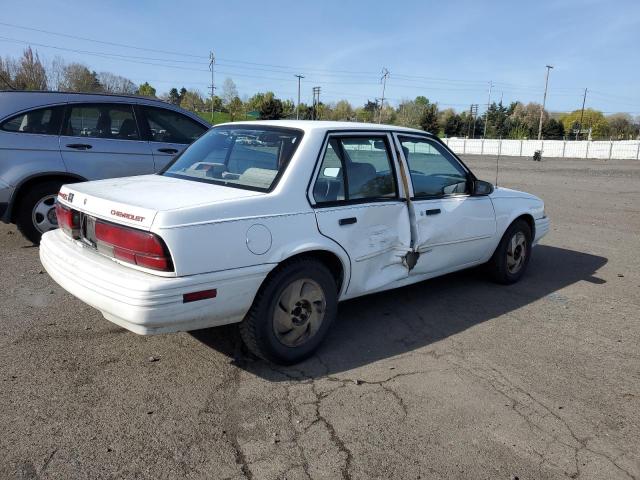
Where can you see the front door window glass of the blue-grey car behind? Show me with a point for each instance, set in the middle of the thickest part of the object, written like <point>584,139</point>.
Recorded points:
<point>172,127</point>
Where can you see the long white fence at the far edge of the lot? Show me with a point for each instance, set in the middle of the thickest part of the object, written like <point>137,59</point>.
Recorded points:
<point>619,149</point>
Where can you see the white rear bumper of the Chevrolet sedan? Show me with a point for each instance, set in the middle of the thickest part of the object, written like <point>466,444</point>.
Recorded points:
<point>145,303</point>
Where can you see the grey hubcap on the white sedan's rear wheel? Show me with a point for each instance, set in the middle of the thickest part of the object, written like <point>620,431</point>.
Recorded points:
<point>299,312</point>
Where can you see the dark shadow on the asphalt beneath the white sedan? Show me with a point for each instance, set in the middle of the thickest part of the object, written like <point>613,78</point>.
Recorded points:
<point>394,322</point>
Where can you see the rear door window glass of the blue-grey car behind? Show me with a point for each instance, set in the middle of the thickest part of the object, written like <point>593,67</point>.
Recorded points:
<point>102,121</point>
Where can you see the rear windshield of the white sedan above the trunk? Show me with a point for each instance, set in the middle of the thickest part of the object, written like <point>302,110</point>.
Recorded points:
<point>238,156</point>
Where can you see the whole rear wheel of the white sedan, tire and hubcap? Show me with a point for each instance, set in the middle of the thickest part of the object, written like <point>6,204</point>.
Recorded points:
<point>292,312</point>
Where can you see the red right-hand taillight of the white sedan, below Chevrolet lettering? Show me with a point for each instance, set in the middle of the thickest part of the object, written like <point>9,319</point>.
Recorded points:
<point>133,246</point>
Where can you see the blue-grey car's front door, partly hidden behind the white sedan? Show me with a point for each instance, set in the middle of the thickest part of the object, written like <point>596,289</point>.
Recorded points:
<point>169,133</point>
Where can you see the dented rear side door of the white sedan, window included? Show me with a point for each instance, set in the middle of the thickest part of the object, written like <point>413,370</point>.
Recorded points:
<point>358,204</point>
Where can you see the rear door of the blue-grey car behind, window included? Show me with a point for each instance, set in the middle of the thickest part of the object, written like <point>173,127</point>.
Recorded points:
<point>102,140</point>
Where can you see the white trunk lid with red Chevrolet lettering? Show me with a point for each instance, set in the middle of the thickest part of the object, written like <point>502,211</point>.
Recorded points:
<point>135,201</point>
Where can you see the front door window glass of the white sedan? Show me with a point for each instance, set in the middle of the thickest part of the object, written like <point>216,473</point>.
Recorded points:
<point>433,171</point>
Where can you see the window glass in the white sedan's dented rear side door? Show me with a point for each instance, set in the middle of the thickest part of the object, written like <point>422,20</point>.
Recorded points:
<point>355,168</point>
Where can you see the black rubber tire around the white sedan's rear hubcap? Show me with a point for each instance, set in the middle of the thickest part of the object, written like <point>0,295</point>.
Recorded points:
<point>258,329</point>
